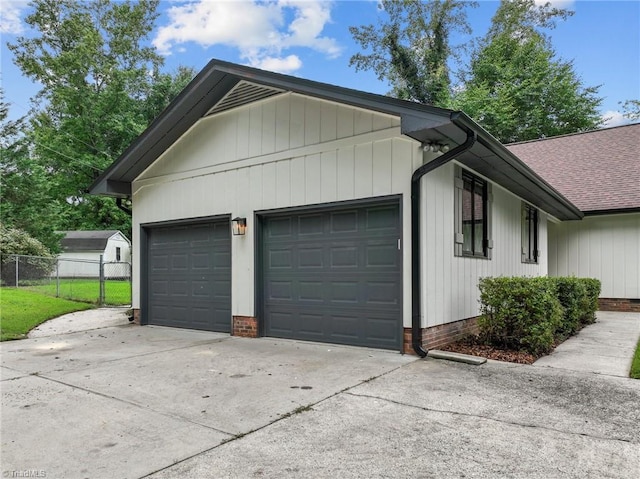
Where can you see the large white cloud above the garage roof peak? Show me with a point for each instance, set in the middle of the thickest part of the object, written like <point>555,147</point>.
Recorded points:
<point>261,31</point>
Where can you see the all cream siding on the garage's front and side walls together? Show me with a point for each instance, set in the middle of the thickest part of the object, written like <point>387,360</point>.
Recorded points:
<point>289,151</point>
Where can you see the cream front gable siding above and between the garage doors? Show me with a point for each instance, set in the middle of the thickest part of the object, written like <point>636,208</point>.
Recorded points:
<point>282,152</point>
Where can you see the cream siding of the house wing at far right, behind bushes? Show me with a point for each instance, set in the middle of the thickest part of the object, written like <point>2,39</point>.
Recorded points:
<point>603,247</point>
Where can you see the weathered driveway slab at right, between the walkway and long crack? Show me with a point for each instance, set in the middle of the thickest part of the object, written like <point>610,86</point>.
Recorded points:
<point>584,404</point>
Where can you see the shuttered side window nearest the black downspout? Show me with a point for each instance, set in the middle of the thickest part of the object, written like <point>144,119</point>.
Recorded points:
<point>473,215</point>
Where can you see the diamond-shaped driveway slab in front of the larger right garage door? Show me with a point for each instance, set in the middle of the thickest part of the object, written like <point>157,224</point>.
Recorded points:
<point>217,384</point>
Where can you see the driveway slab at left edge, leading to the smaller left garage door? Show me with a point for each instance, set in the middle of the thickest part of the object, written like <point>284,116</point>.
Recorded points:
<point>87,348</point>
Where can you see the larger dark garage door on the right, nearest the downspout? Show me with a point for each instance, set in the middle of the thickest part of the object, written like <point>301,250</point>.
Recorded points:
<point>334,276</point>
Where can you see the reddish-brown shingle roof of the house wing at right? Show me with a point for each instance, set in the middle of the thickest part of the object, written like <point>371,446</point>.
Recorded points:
<point>598,171</point>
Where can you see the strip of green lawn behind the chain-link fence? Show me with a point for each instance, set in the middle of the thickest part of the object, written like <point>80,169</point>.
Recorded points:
<point>88,290</point>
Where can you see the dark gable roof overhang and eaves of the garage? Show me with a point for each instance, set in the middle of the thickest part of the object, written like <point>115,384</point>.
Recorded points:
<point>222,85</point>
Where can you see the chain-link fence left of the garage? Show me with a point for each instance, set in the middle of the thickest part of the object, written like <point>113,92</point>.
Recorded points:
<point>93,281</point>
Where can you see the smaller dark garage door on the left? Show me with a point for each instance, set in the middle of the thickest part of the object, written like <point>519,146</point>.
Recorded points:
<point>189,276</point>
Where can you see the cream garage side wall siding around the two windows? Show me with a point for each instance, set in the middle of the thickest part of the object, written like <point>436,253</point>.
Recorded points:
<point>451,282</point>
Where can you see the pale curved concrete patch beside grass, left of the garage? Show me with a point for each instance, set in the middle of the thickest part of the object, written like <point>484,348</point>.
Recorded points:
<point>82,321</point>
